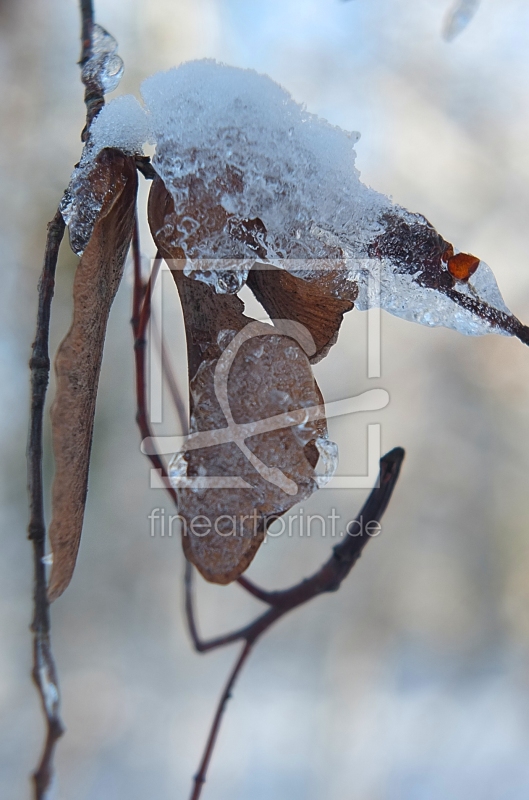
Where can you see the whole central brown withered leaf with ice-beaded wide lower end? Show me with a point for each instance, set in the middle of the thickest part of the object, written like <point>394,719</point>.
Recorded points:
<point>251,390</point>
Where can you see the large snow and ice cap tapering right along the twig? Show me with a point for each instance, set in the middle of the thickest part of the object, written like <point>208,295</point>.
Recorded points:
<point>255,178</point>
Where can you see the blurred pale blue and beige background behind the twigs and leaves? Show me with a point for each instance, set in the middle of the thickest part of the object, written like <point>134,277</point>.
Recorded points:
<point>412,681</point>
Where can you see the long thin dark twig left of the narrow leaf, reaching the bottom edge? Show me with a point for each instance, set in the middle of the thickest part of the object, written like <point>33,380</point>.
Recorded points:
<point>44,671</point>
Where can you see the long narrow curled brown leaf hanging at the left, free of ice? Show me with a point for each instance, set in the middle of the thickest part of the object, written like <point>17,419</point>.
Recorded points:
<point>78,359</point>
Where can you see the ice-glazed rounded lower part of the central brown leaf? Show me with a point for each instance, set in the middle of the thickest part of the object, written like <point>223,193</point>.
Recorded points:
<point>268,377</point>
